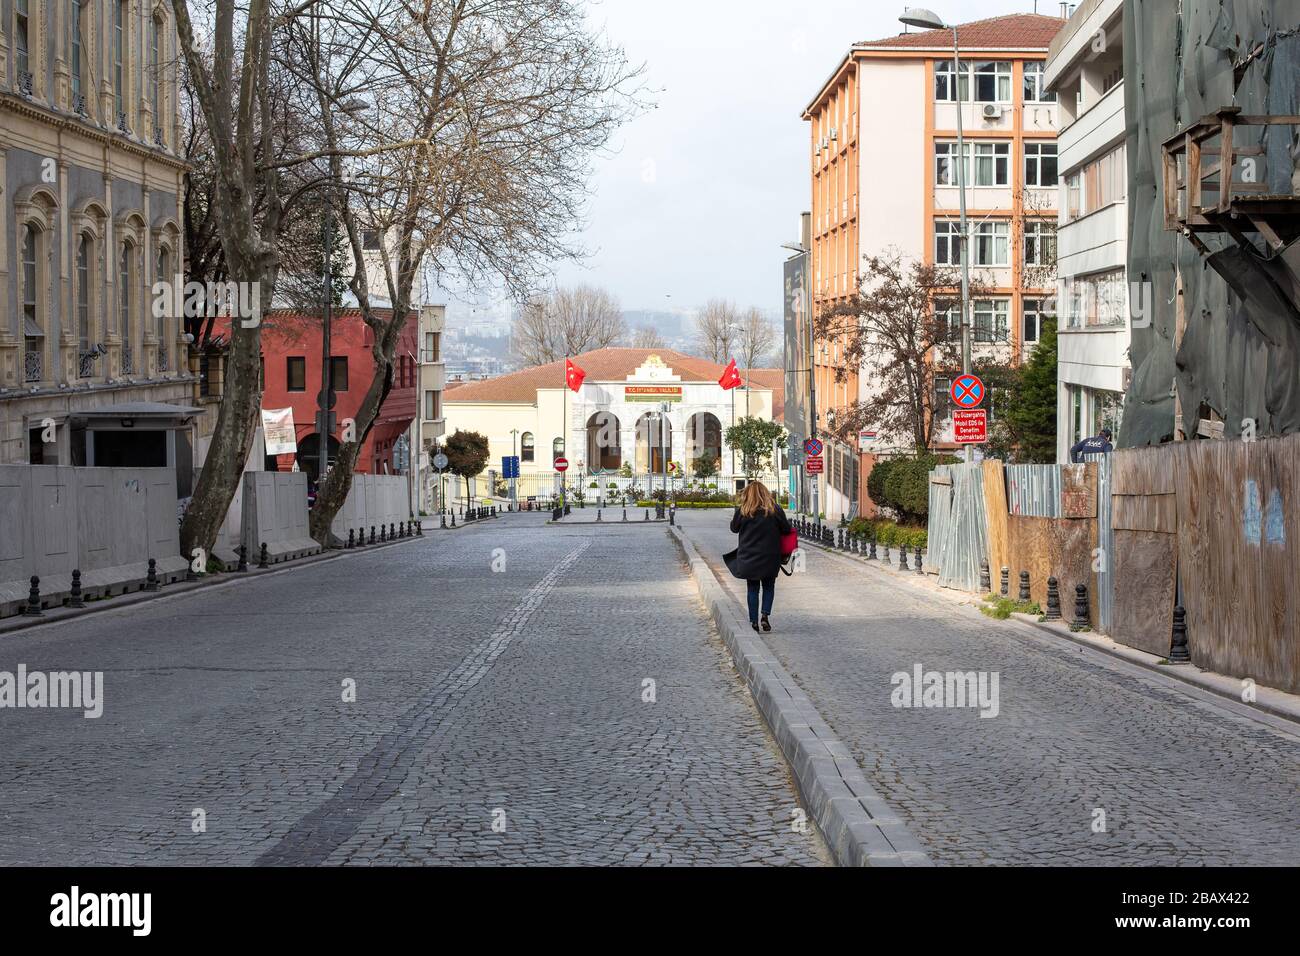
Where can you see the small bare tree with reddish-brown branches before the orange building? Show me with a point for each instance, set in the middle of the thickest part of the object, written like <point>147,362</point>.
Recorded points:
<point>896,332</point>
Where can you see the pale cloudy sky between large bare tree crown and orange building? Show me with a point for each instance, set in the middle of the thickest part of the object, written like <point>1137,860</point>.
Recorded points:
<point>703,191</point>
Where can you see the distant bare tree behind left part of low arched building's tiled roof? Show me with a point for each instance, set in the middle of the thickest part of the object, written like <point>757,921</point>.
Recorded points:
<point>567,322</point>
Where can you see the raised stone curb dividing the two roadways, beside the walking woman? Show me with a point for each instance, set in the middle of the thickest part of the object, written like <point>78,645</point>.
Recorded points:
<point>859,827</point>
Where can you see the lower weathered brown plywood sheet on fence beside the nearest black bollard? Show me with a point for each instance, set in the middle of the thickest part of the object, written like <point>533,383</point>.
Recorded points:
<point>1145,564</point>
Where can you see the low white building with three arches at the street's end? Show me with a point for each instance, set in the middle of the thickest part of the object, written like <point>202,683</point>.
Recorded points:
<point>614,421</point>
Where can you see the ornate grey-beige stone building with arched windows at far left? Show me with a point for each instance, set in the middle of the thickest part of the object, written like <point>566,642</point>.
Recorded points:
<point>90,220</point>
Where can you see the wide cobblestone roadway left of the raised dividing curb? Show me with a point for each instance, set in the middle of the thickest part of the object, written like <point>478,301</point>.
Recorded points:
<point>513,699</point>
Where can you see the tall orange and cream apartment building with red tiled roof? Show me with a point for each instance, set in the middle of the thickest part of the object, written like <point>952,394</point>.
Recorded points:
<point>883,152</point>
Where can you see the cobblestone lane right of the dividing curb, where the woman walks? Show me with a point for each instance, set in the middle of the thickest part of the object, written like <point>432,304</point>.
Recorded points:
<point>1181,775</point>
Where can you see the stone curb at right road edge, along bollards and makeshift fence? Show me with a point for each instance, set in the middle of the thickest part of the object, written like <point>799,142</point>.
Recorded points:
<point>1268,699</point>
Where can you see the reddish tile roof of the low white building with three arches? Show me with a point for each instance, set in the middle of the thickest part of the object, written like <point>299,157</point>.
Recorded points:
<point>603,365</point>
